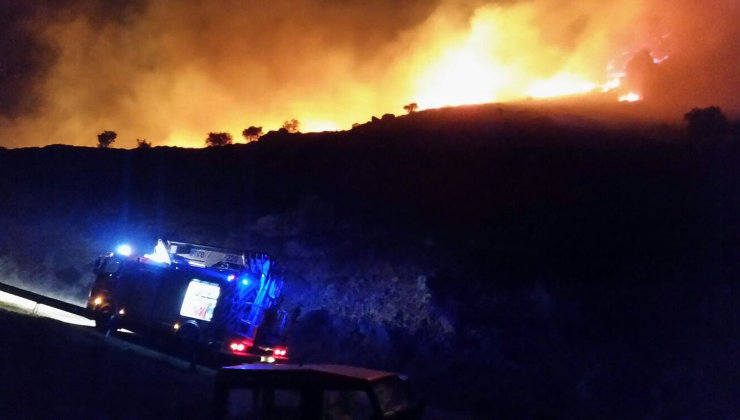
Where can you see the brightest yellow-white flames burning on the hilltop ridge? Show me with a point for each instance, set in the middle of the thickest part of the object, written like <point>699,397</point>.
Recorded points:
<point>490,64</point>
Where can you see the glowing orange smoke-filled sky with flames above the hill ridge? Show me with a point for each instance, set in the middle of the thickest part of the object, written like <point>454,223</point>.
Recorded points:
<point>170,72</point>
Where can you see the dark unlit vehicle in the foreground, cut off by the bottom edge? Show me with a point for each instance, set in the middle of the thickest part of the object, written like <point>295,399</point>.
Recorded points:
<point>312,392</point>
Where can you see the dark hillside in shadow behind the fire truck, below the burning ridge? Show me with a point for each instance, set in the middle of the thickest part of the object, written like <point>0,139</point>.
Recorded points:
<point>516,261</point>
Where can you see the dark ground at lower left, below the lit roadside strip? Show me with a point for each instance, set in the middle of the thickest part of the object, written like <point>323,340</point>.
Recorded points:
<point>51,370</point>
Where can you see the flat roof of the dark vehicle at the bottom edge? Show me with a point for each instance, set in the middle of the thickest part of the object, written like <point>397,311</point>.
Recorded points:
<point>340,373</point>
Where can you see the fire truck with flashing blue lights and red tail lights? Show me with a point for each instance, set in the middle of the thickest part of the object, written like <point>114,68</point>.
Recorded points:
<point>220,299</point>
